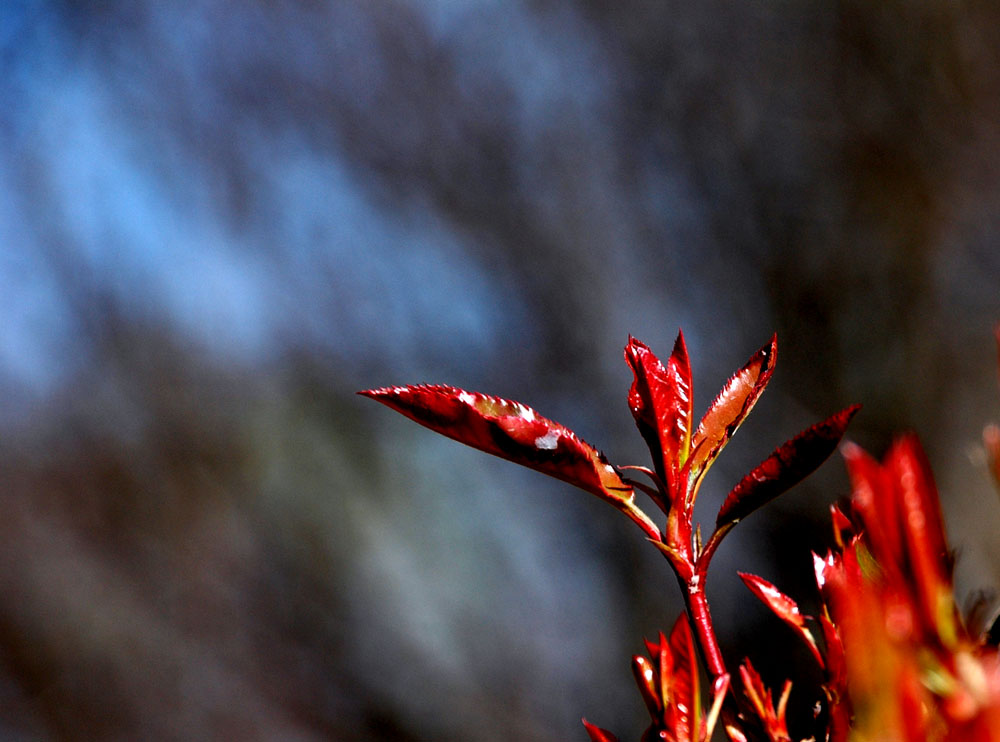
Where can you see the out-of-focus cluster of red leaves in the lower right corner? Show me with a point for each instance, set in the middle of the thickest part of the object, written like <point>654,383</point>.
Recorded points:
<point>912,671</point>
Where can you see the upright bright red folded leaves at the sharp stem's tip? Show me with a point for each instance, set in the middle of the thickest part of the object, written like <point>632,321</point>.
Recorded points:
<point>661,403</point>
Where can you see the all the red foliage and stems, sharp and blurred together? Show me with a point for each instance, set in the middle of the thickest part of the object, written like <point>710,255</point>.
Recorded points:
<point>897,660</point>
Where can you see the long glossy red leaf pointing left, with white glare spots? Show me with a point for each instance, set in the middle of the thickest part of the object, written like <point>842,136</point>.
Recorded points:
<point>515,432</point>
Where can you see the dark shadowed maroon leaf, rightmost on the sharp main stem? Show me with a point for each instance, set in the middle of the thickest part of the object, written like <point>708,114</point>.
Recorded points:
<point>787,466</point>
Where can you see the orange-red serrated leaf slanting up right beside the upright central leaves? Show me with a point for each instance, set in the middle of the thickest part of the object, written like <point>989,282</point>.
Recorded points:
<point>731,407</point>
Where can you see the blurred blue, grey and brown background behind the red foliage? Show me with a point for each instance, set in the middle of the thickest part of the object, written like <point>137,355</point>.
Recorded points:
<point>219,220</point>
